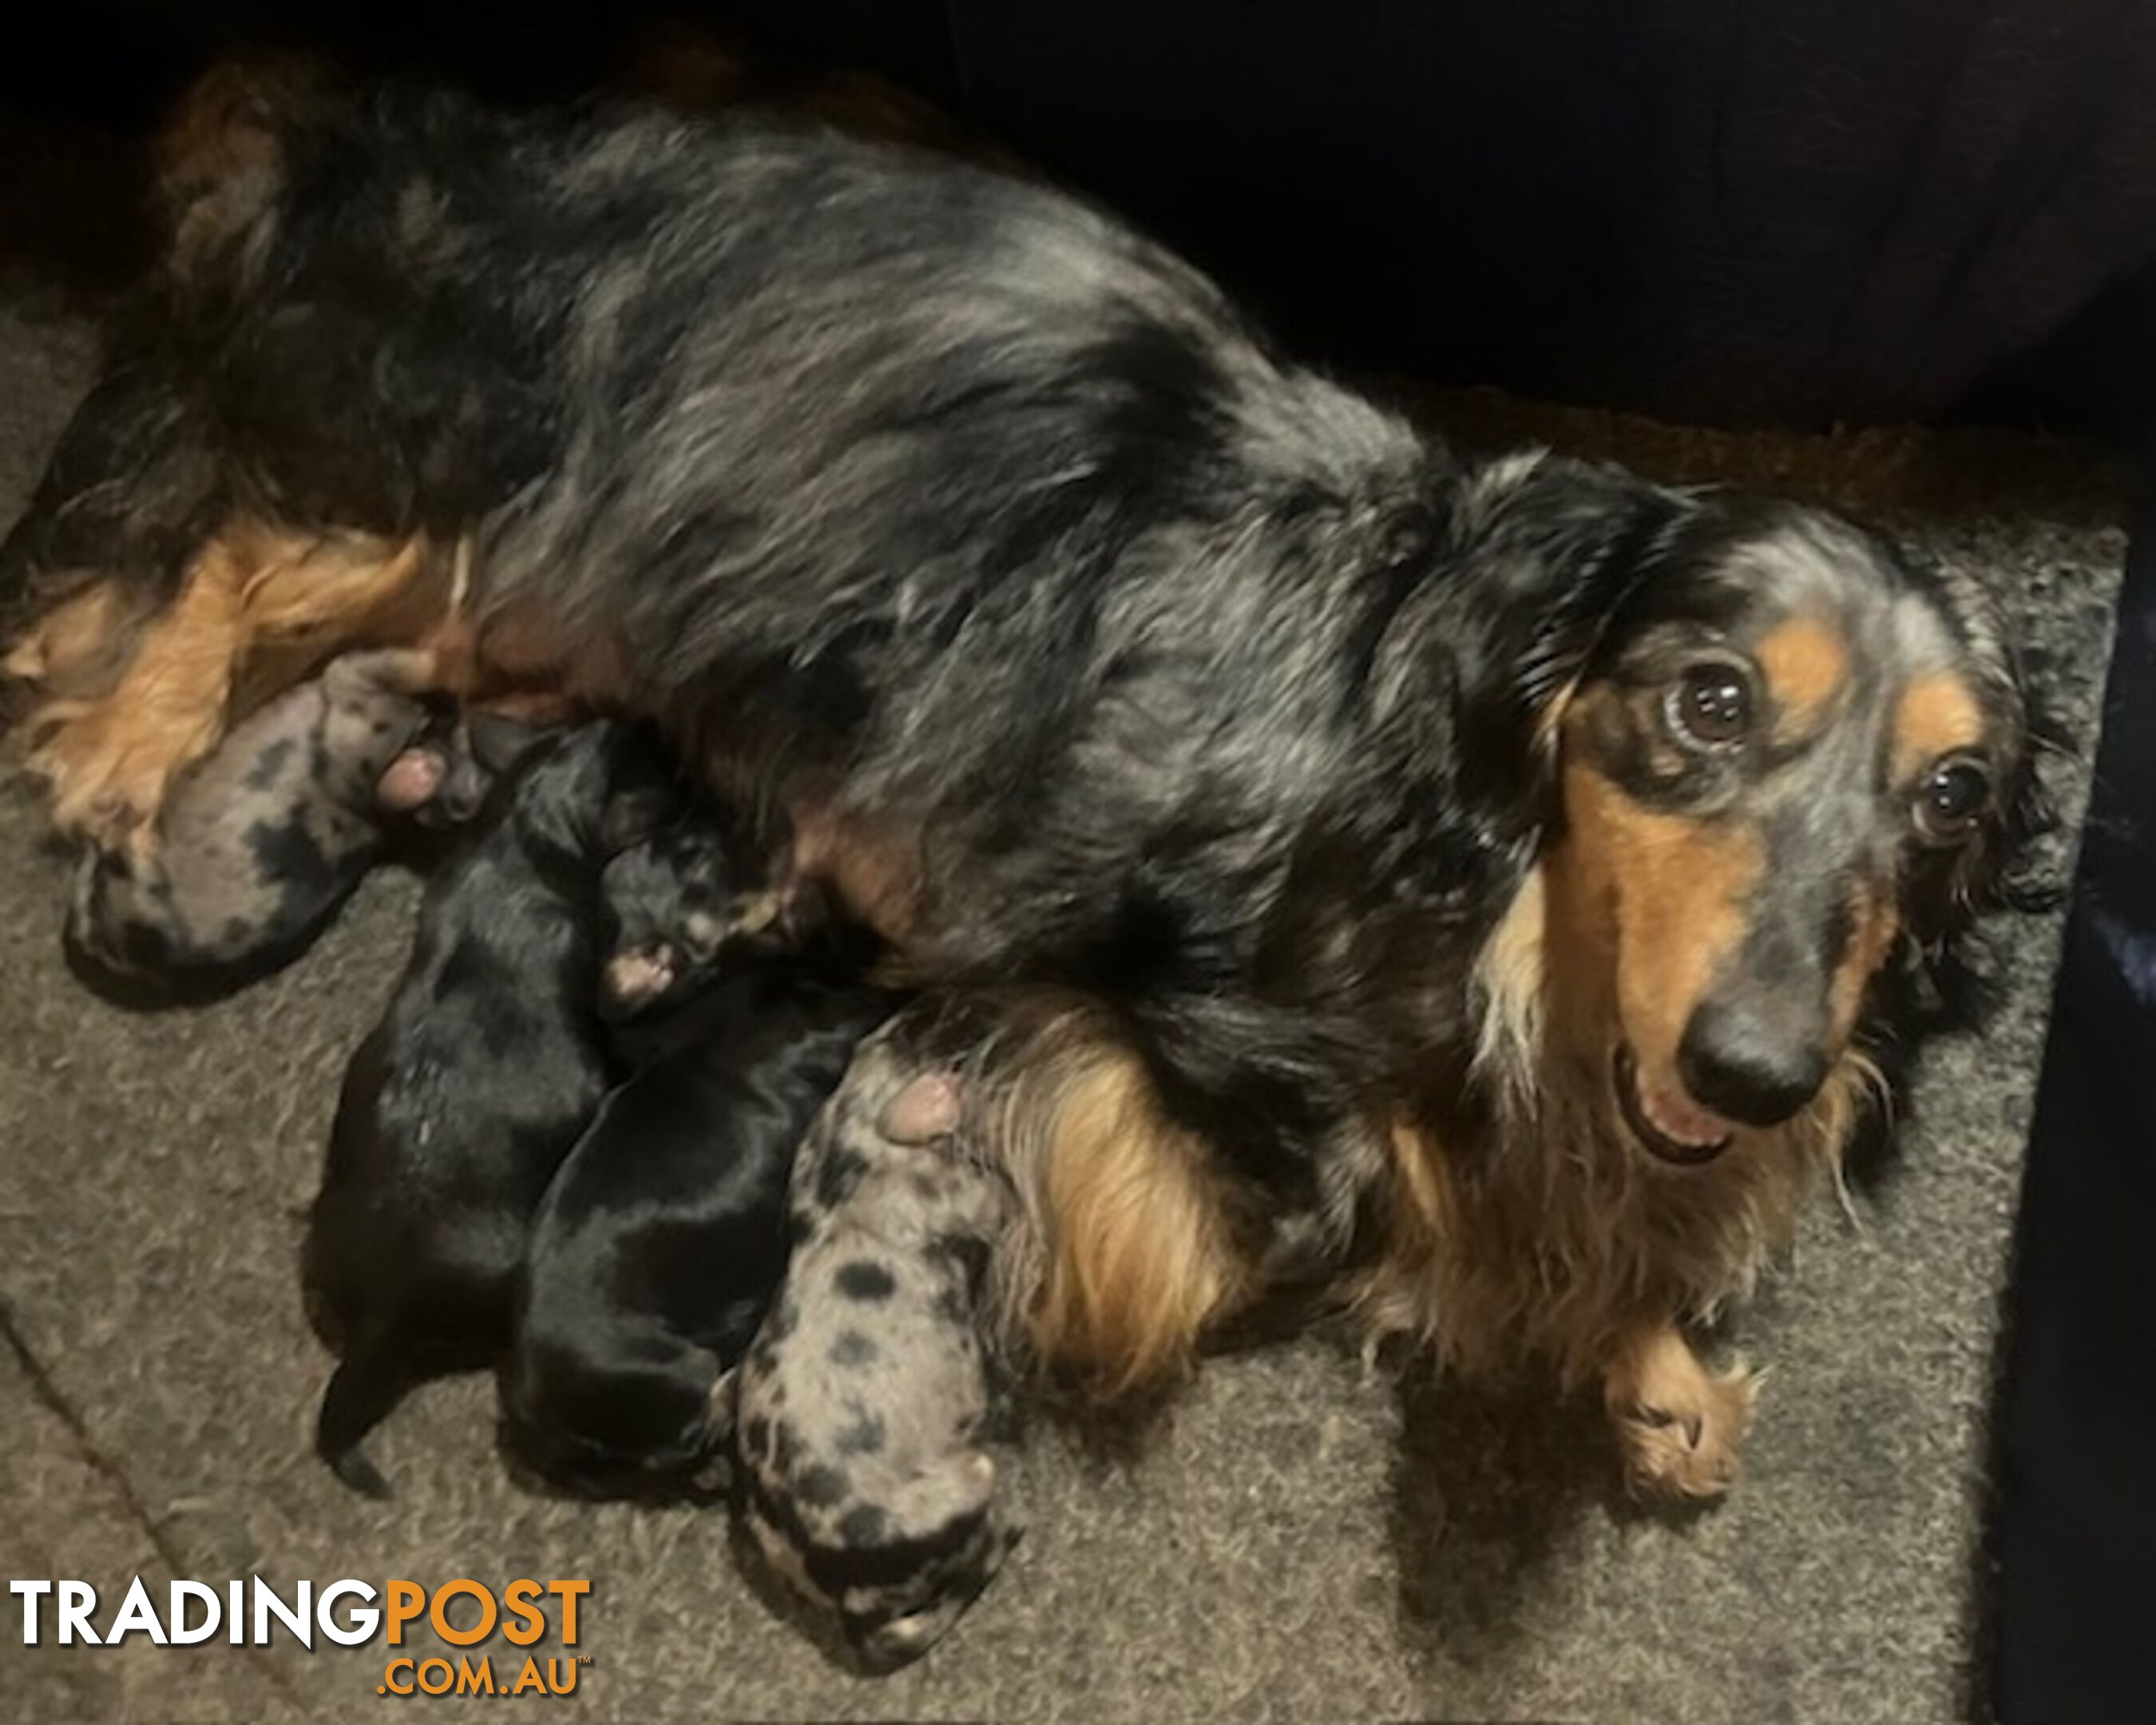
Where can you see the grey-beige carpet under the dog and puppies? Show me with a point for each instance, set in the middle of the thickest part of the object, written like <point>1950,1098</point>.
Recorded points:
<point>1301,1538</point>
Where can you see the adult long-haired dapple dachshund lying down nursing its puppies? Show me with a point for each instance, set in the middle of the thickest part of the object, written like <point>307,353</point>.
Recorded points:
<point>1474,885</point>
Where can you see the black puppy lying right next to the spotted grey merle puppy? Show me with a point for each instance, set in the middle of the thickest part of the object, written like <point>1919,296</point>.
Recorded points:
<point>665,1234</point>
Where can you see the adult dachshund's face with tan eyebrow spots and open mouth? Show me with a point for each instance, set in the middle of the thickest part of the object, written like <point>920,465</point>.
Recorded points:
<point>1788,762</point>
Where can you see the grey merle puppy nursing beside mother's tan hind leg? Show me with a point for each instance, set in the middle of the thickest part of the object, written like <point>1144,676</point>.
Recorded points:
<point>268,838</point>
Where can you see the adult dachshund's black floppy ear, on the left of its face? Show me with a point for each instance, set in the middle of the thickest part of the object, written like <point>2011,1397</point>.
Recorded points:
<point>1553,551</point>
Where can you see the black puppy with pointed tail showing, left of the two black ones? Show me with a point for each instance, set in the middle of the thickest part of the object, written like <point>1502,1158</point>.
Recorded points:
<point>478,1081</point>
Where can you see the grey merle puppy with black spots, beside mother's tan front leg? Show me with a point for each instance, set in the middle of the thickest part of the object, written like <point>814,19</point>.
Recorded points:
<point>868,1400</point>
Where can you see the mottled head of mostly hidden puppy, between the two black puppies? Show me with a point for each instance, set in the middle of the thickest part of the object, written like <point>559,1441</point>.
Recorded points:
<point>672,909</point>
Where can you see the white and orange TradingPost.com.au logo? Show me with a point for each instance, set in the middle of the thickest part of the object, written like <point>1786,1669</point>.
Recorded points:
<point>350,1614</point>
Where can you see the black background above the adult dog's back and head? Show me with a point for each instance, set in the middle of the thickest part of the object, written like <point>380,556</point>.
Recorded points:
<point>1797,212</point>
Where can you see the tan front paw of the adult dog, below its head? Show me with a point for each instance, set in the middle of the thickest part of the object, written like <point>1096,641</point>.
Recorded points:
<point>1681,1426</point>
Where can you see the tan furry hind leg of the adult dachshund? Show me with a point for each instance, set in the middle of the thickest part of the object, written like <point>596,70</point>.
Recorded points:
<point>113,760</point>
